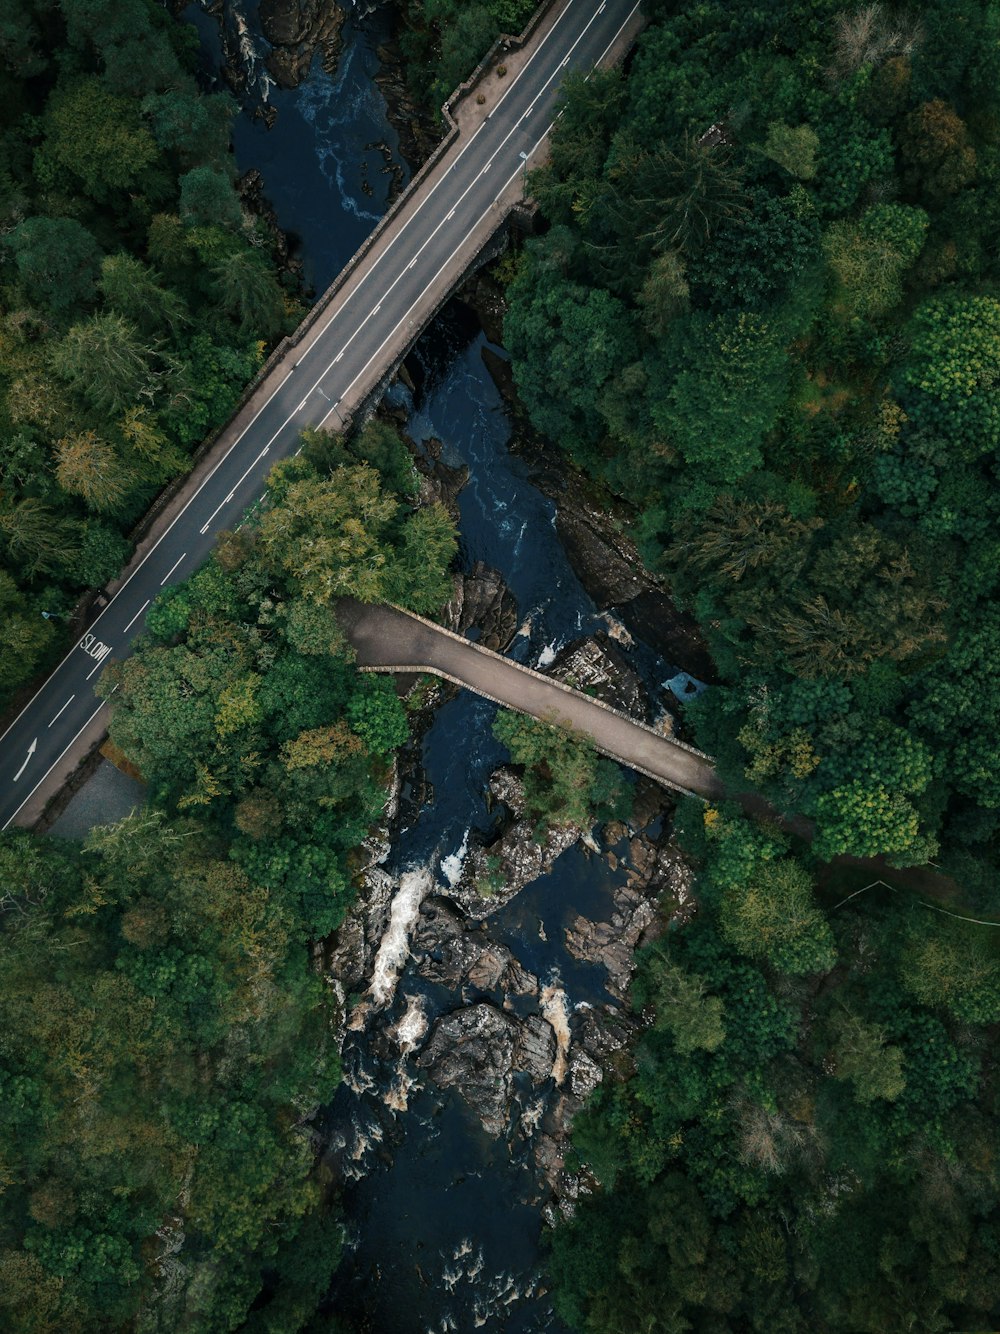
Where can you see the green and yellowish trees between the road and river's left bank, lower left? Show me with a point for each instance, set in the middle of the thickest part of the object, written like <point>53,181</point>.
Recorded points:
<point>167,1035</point>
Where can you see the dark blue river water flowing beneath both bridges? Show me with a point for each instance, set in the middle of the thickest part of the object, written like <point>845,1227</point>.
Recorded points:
<point>445,1219</point>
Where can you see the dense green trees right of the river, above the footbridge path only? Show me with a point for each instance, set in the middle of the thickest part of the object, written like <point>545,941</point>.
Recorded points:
<point>765,313</point>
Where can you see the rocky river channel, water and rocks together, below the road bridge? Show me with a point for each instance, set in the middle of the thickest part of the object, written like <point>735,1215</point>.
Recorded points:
<point>486,969</point>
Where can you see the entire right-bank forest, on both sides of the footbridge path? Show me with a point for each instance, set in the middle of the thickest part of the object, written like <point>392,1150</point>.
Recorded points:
<point>765,313</point>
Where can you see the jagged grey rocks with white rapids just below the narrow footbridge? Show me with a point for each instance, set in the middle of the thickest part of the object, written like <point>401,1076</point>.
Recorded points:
<point>517,1048</point>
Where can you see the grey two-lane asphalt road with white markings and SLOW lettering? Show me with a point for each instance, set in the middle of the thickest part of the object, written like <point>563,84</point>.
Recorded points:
<point>341,360</point>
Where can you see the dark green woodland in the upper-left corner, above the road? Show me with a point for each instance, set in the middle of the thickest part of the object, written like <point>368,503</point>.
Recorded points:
<point>138,295</point>
